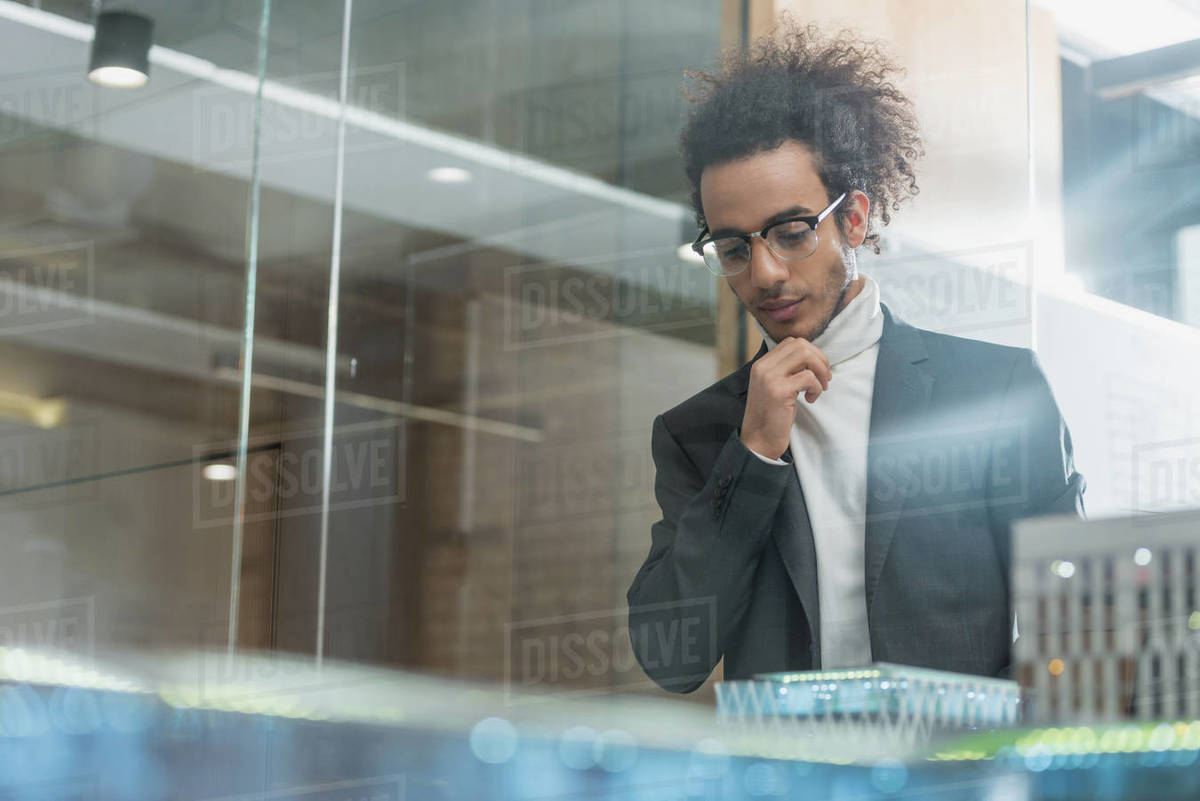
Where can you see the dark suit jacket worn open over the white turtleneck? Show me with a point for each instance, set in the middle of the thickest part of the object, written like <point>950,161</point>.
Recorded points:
<point>965,438</point>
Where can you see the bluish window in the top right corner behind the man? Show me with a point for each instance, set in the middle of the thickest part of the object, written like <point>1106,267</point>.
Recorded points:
<point>1130,143</point>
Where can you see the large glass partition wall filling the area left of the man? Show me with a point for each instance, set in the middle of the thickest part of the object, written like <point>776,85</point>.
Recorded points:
<point>484,202</point>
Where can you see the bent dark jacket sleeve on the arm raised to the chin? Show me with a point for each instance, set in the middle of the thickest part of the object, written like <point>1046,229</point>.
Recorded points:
<point>697,582</point>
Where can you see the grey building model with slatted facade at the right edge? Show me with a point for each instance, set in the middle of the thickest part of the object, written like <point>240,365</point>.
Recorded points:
<point>1108,618</point>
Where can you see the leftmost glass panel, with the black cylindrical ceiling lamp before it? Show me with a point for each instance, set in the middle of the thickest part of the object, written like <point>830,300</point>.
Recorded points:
<point>124,254</point>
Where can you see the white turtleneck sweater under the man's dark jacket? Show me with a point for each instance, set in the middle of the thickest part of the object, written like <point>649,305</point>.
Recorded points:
<point>830,454</point>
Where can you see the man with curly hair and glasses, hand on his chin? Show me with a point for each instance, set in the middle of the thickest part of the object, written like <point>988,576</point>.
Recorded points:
<point>871,522</point>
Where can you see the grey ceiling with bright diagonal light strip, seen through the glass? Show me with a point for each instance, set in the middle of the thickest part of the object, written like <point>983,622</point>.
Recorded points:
<point>158,179</point>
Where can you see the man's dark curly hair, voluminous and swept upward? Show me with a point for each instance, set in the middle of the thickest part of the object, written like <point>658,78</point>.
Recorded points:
<point>833,95</point>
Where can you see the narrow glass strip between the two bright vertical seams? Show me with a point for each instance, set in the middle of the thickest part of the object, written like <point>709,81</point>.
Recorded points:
<point>280,577</point>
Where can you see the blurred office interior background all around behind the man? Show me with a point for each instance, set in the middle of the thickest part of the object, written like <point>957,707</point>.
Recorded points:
<point>340,340</point>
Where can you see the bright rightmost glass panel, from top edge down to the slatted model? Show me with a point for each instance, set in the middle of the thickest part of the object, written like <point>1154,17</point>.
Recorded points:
<point>1130,159</point>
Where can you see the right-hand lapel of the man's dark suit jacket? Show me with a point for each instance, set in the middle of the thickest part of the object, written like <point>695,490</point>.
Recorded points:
<point>903,387</point>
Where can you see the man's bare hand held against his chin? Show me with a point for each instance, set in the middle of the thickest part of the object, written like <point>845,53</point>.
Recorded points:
<point>777,381</point>
